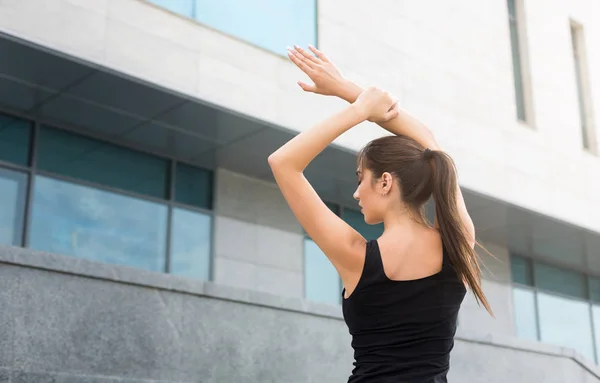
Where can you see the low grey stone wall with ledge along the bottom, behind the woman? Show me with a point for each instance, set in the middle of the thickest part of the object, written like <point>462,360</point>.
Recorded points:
<point>71,320</point>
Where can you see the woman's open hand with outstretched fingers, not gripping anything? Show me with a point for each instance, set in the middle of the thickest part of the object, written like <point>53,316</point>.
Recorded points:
<point>326,77</point>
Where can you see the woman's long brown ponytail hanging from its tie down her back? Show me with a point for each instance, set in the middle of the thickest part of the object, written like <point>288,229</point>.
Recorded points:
<point>455,237</point>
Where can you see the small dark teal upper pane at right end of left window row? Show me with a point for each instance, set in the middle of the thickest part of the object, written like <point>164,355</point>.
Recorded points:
<point>193,186</point>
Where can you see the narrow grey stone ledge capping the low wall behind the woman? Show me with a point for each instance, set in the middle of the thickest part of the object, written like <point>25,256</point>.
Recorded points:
<point>121,274</point>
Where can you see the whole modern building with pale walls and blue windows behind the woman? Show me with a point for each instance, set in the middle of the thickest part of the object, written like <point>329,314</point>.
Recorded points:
<point>143,239</point>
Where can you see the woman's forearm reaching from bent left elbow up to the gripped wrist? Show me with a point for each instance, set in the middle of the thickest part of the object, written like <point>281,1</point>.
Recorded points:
<point>296,154</point>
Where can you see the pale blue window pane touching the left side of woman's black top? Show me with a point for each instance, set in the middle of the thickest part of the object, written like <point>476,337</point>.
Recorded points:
<point>321,280</point>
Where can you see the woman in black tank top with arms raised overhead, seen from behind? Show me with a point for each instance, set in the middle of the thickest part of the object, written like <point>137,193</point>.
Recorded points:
<point>402,292</point>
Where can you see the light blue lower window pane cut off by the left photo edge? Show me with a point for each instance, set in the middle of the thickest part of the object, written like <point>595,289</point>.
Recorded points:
<point>13,187</point>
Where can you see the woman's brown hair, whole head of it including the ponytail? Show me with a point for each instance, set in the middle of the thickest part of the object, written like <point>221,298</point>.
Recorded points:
<point>423,174</point>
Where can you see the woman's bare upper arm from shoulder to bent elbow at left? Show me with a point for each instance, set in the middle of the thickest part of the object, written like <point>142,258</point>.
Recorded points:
<point>343,245</point>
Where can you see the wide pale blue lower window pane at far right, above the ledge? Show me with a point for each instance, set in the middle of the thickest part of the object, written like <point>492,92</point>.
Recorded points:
<point>566,322</point>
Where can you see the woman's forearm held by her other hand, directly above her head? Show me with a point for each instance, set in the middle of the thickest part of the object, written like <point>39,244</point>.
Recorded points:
<point>404,124</point>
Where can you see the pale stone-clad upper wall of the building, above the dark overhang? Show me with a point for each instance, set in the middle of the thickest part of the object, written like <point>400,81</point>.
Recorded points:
<point>449,62</point>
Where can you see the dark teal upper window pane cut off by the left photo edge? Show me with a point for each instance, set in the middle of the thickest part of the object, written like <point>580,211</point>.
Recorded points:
<point>15,135</point>
